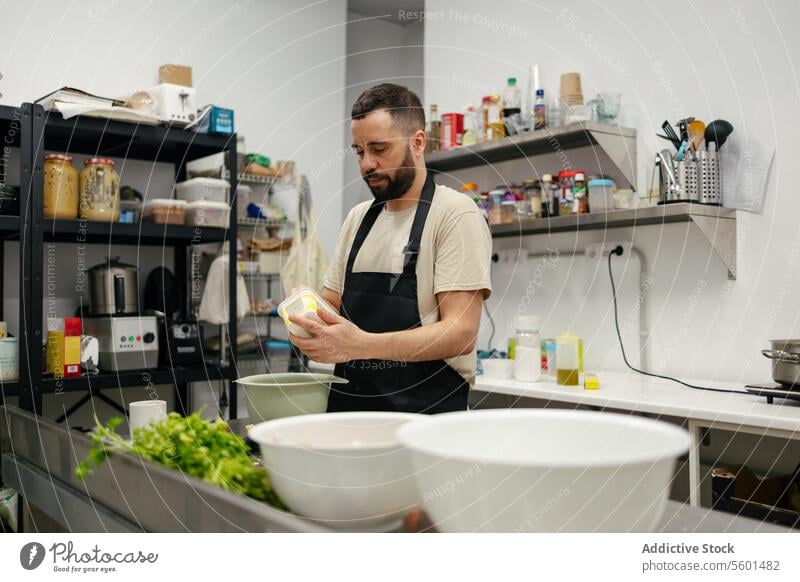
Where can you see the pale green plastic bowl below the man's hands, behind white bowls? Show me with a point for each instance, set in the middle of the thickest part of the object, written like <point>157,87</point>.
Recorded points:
<point>271,396</point>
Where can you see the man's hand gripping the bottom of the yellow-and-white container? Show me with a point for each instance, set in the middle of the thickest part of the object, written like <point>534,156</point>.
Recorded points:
<point>337,340</point>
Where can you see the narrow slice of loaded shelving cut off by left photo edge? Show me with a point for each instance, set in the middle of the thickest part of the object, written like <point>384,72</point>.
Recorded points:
<point>15,181</point>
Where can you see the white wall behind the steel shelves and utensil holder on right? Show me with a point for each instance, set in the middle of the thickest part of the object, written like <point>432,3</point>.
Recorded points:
<point>716,59</point>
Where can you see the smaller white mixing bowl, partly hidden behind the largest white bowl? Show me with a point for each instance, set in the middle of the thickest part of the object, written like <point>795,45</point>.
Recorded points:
<point>345,469</point>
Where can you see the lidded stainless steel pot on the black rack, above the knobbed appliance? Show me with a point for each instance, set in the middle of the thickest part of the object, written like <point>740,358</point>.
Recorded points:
<point>114,288</point>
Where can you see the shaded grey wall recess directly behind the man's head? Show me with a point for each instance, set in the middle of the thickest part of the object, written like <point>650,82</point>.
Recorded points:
<point>378,51</point>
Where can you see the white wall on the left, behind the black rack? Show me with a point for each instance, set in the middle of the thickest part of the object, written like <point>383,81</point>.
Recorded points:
<point>279,64</point>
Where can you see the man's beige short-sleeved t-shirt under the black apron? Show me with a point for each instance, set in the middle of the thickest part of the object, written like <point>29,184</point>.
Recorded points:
<point>455,254</point>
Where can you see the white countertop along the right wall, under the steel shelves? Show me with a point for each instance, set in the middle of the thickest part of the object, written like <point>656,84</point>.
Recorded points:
<point>634,392</point>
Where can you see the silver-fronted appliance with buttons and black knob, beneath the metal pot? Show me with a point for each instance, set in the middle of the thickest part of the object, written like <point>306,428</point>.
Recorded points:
<point>125,343</point>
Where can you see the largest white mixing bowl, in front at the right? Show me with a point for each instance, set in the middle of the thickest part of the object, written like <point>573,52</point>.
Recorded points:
<point>543,470</point>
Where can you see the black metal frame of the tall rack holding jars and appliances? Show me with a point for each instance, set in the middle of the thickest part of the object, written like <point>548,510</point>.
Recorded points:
<point>97,137</point>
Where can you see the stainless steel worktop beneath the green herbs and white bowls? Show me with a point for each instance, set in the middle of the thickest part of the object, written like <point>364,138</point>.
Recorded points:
<point>129,494</point>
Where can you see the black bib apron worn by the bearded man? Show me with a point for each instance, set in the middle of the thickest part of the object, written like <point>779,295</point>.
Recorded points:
<point>386,302</point>
